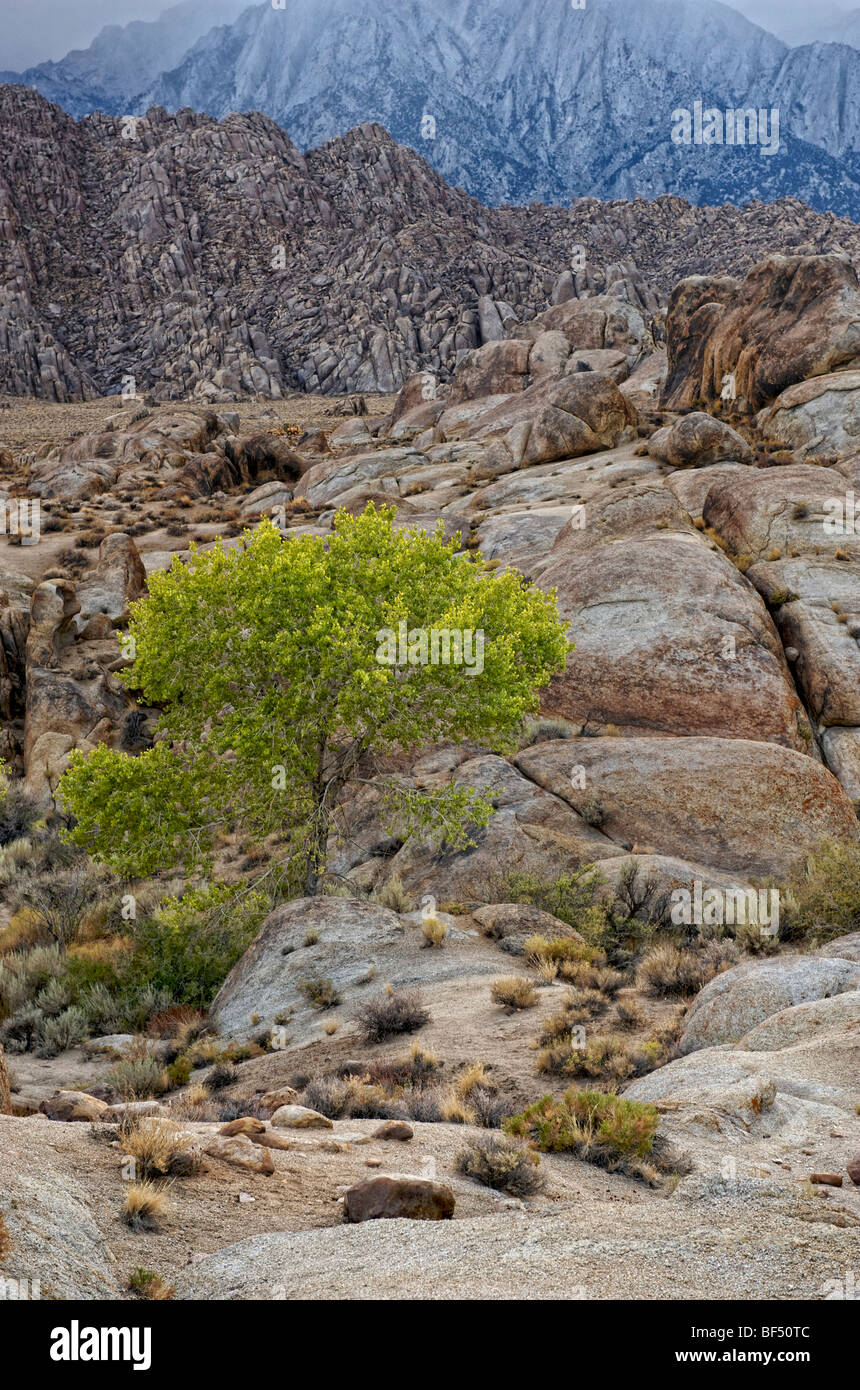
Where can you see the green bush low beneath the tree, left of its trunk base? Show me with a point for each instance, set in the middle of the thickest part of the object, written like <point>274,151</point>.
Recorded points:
<point>191,943</point>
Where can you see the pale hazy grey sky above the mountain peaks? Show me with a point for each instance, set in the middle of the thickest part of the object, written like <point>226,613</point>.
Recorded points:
<point>33,31</point>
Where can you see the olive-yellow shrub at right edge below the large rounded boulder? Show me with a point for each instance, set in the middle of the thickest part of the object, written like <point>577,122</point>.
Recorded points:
<point>823,897</point>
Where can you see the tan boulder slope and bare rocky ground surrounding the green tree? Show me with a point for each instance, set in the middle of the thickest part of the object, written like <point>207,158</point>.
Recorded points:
<point>706,730</point>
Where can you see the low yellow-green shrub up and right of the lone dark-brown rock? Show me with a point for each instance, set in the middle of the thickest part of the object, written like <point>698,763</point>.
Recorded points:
<point>604,1129</point>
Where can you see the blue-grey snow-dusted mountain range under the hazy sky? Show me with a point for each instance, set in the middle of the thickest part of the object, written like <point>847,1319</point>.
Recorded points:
<point>523,101</point>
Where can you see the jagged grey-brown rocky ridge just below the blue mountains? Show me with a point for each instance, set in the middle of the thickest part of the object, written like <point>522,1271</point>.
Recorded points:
<point>213,259</point>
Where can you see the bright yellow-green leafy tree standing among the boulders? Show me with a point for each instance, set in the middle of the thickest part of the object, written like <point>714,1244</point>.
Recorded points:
<point>279,671</point>
